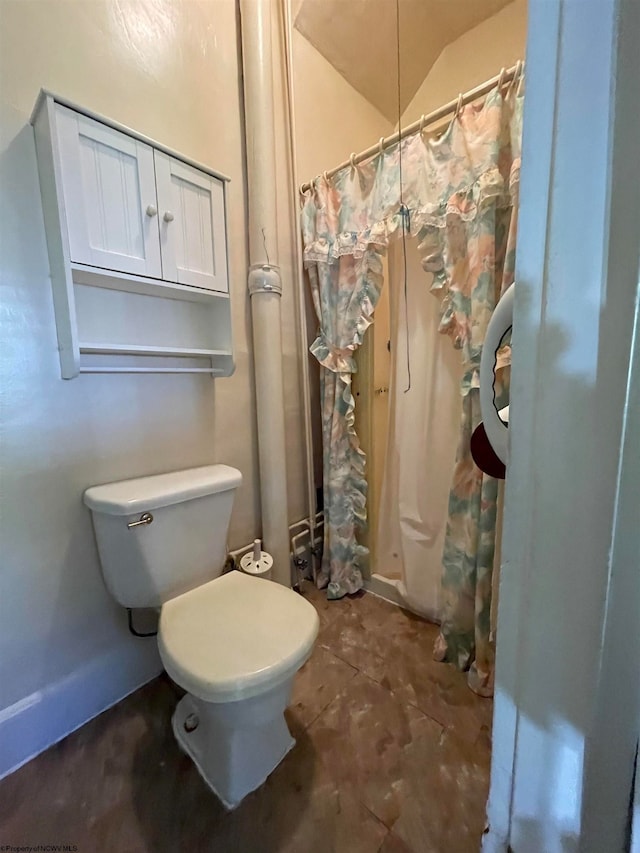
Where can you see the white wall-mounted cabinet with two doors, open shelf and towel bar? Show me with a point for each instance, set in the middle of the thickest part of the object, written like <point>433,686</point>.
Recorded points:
<point>137,244</point>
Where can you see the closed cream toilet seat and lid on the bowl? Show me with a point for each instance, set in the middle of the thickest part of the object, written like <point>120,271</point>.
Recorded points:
<point>235,637</point>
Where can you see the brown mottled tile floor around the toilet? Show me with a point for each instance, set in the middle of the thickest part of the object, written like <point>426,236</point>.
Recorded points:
<point>392,756</point>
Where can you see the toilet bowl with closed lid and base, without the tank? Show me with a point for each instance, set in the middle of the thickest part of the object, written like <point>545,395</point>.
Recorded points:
<point>231,722</point>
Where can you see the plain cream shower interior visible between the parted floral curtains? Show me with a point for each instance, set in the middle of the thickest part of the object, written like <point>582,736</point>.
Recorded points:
<point>411,446</point>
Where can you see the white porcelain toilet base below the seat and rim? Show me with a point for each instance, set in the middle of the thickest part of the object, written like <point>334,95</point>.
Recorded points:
<point>235,745</point>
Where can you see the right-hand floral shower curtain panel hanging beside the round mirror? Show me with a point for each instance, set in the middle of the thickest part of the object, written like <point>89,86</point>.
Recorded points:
<point>472,255</point>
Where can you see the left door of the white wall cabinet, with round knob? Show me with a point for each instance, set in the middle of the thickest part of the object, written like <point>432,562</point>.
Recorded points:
<point>109,190</point>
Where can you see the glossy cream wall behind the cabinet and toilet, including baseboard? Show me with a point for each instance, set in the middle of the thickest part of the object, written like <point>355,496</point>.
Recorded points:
<point>170,70</point>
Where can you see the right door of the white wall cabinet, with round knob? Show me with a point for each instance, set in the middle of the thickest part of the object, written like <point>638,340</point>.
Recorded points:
<point>192,225</point>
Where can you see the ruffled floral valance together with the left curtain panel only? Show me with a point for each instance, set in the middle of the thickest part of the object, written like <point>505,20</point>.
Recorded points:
<point>347,223</point>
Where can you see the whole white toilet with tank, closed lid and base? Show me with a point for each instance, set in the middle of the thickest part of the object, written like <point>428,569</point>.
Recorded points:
<point>233,642</point>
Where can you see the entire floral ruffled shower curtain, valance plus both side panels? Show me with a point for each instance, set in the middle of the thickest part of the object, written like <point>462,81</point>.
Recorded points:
<point>460,192</point>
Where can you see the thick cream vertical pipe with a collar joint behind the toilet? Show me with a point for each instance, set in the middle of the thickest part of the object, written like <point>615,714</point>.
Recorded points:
<point>264,280</point>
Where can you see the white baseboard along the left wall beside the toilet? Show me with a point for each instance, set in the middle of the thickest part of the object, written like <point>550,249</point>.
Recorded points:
<point>38,721</point>
